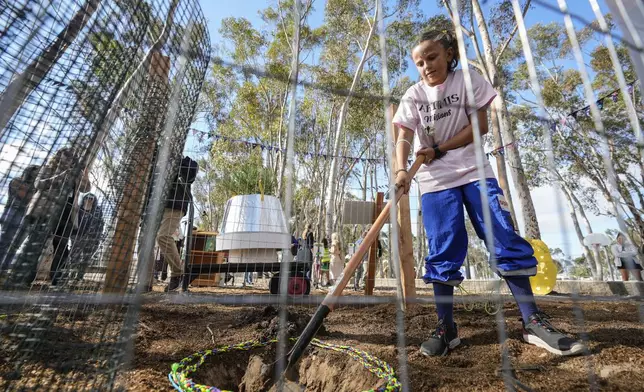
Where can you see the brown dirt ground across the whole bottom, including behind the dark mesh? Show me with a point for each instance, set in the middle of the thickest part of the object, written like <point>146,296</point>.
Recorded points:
<point>169,332</point>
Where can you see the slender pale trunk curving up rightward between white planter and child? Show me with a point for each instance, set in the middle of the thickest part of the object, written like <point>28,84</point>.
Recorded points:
<point>331,189</point>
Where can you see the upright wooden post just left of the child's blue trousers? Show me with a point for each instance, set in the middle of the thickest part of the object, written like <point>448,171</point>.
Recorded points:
<point>406,246</point>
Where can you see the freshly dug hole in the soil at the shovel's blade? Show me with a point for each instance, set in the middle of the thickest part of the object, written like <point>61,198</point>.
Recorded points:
<point>319,371</point>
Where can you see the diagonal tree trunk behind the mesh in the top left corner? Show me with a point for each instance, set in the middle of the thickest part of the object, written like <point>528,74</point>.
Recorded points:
<point>20,87</point>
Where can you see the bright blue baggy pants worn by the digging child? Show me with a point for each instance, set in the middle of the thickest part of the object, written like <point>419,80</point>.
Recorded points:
<point>444,221</point>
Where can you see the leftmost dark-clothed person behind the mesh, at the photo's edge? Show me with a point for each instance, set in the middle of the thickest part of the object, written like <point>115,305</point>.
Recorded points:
<point>20,193</point>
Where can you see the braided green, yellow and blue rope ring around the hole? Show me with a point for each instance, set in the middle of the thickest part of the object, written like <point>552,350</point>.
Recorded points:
<point>180,380</point>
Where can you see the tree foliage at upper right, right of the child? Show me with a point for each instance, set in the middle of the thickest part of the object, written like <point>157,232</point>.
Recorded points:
<point>576,142</point>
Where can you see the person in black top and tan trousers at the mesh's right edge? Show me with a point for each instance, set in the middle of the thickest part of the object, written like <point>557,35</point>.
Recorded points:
<point>175,208</point>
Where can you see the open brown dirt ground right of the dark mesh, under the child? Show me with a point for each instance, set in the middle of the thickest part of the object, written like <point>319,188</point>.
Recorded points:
<point>615,333</point>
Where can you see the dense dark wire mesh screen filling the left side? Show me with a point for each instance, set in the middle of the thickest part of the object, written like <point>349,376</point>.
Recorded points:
<point>94,92</point>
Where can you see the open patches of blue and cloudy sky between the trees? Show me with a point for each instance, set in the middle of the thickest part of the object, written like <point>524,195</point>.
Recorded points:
<point>553,215</point>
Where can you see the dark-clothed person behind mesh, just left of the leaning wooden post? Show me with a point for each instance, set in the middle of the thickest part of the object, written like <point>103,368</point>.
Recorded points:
<point>87,237</point>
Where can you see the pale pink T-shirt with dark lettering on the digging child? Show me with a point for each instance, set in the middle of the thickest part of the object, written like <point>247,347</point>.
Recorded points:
<point>436,114</point>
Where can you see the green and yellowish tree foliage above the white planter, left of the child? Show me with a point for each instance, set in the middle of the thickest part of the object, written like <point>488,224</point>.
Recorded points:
<point>247,97</point>
